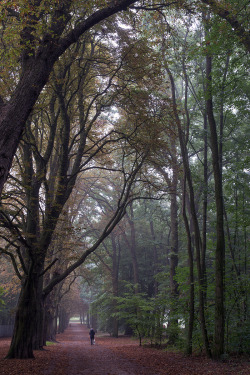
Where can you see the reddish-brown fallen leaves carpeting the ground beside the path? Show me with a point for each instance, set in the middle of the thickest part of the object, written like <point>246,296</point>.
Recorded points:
<point>55,361</point>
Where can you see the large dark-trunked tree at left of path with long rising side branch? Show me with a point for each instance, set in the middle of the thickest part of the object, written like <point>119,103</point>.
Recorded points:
<point>49,166</point>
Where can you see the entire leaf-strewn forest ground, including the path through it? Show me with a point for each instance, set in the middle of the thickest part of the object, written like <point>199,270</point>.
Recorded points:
<point>73,355</point>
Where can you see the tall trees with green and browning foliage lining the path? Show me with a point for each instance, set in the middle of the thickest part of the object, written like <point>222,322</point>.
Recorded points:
<point>112,129</point>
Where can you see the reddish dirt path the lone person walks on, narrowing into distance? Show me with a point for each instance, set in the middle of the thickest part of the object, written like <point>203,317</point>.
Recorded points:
<point>84,358</point>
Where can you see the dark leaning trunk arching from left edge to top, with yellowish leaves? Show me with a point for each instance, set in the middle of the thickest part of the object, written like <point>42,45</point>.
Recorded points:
<point>39,51</point>
